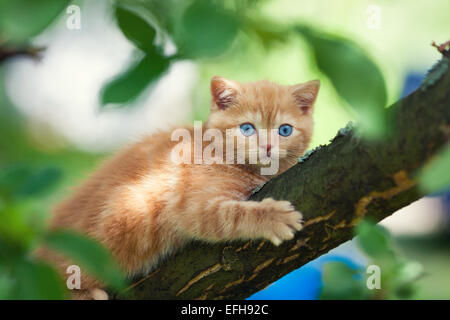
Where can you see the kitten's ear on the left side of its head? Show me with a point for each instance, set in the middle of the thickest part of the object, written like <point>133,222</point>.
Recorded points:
<point>223,92</point>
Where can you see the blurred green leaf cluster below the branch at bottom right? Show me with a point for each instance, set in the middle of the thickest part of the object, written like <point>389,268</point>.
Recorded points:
<point>398,276</point>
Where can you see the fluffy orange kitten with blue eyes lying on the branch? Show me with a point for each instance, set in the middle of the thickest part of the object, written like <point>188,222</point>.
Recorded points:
<point>142,206</point>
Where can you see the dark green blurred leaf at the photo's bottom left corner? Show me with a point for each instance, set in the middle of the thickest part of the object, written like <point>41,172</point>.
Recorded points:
<point>37,281</point>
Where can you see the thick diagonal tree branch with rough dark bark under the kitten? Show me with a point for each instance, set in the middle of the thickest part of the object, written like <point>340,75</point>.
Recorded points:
<point>334,187</point>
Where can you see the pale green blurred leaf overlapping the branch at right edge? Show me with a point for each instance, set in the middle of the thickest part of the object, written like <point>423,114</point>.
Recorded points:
<point>435,176</point>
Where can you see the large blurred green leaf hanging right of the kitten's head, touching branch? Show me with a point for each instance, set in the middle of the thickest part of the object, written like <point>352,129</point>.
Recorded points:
<point>355,77</point>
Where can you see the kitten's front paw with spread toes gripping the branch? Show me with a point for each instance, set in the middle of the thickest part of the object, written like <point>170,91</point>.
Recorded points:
<point>282,220</point>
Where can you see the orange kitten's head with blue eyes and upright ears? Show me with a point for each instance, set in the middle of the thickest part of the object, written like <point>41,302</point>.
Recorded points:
<point>285,112</point>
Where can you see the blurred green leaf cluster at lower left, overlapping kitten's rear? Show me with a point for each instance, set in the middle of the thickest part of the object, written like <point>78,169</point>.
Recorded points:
<point>22,276</point>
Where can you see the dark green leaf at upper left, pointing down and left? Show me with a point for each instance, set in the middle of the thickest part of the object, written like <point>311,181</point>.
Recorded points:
<point>129,85</point>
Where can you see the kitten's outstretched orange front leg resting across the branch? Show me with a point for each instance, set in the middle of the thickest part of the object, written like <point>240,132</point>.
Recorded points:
<point>225,219</point>
